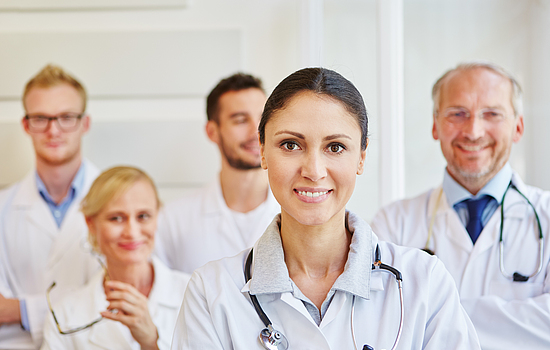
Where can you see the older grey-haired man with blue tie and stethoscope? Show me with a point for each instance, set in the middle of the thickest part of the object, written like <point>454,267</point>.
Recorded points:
<point>487,226</point>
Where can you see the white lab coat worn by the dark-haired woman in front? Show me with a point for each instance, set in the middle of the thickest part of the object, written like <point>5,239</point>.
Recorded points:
<point>217,312</point>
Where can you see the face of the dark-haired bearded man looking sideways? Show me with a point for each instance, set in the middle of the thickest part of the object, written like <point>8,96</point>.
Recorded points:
<point>236,129</point>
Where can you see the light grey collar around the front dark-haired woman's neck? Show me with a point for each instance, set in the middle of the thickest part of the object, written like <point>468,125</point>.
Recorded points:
<point>270,274</point>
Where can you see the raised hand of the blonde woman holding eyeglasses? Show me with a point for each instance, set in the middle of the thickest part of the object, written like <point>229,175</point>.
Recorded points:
<point>132,312</point>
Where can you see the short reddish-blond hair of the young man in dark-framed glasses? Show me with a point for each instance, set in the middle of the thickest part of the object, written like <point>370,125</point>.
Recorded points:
<point>51,76</point>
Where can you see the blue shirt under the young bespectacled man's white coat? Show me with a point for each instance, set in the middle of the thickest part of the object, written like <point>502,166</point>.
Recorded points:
<point>58,211</point>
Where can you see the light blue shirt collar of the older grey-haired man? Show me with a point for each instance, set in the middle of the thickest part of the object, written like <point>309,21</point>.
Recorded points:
<point>495,188</point>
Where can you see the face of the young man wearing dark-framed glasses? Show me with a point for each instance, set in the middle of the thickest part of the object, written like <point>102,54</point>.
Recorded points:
<point>54,146</point>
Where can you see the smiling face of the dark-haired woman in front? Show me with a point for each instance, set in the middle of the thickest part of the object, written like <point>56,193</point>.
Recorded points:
<point>312,151</point>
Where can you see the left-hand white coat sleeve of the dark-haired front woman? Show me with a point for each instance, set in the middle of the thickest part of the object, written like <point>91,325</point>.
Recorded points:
<point>195,328</point>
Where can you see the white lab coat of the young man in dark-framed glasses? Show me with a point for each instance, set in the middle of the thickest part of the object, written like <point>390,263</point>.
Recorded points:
<point>34,252</point>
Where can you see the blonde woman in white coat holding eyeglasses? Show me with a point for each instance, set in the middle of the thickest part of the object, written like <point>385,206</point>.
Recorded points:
<point>133,302</point>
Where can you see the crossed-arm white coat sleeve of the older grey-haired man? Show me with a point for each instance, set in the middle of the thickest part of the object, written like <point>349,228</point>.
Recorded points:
<point>502,324</point>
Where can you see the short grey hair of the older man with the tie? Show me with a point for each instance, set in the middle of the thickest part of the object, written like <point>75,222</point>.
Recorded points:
<point>517,94</point>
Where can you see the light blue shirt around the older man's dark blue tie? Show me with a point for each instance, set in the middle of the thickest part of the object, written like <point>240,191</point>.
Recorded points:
<point>456,194</point>
